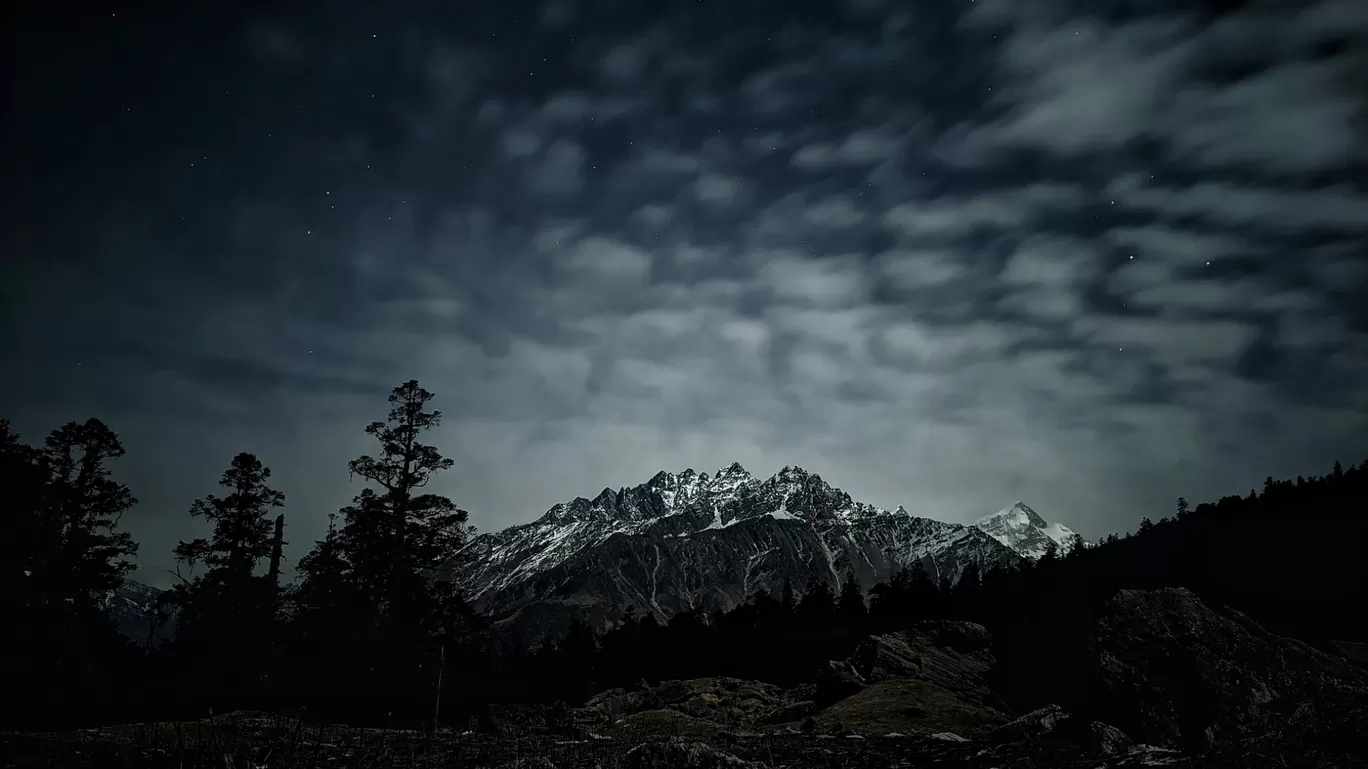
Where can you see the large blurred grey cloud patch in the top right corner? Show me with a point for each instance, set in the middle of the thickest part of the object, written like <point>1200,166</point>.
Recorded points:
<point>1248,90</point>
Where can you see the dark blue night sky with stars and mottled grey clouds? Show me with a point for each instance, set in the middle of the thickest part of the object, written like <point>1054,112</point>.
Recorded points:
<point>950,255</point>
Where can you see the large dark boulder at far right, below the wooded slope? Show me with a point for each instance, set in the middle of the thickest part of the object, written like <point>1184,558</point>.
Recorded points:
<point>1177,674</point>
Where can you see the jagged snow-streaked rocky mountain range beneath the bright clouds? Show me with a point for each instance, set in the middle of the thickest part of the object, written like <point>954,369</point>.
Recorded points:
<point>685,541</point>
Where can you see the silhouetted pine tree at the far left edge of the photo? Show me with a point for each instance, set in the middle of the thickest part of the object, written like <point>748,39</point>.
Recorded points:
<point>65,506</point>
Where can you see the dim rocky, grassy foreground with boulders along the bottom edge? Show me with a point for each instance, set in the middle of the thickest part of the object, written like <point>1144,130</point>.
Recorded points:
<point>1180,683</point>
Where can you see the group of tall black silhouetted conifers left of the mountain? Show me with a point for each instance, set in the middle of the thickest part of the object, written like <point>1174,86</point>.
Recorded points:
<point>359,636</point>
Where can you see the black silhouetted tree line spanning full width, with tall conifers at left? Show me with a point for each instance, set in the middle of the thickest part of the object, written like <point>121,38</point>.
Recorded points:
<point>373,633</point>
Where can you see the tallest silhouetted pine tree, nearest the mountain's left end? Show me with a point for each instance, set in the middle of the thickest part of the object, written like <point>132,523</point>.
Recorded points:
<point>376,577</point>
